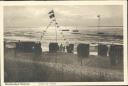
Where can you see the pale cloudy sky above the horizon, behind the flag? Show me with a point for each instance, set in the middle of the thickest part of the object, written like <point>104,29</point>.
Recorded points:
<point>73,15</point>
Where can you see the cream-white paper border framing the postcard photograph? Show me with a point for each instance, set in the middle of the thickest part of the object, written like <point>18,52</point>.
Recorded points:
<point>21,3</point>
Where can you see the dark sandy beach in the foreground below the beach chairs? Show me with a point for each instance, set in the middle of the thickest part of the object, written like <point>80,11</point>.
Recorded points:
<point>58,67</point>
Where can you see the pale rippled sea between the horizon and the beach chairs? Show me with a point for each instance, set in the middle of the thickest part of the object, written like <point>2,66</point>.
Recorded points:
<point>65,36</point>
